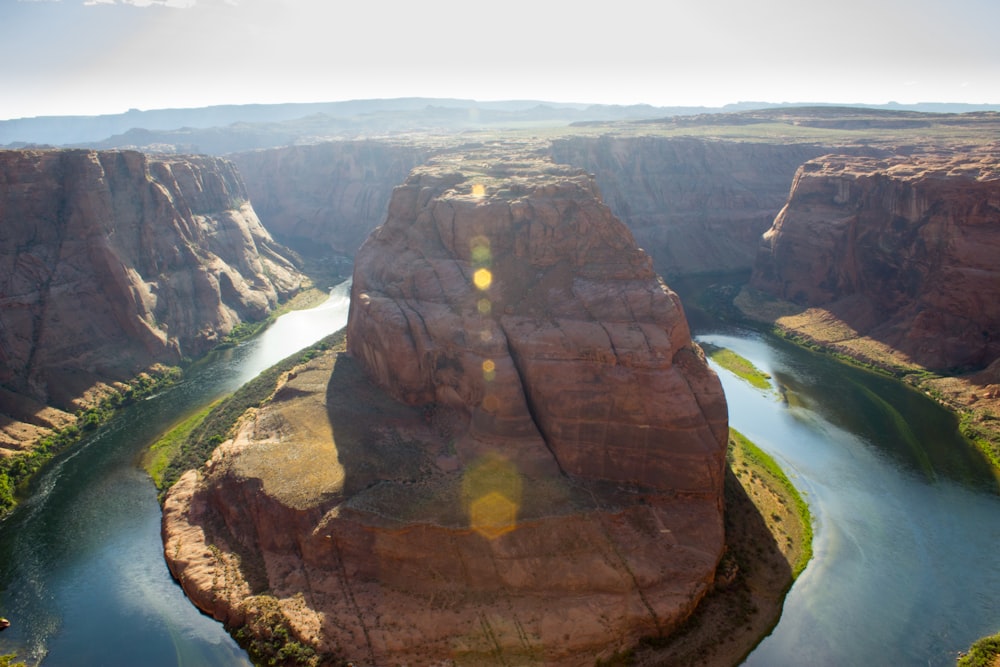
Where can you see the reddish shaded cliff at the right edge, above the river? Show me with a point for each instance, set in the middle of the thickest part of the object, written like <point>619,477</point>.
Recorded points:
<point>903,250</point>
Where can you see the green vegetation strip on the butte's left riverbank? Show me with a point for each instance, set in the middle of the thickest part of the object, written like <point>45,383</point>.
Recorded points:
<point>191,442</point>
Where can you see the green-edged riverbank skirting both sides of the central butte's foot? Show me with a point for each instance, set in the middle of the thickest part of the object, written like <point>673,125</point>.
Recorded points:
<point>768,534</point>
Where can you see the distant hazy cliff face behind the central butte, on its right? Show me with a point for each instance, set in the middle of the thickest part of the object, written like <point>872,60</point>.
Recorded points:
<point>694,205</point>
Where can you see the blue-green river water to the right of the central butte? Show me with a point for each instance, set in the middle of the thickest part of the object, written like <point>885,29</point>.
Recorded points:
<point>906,568</point>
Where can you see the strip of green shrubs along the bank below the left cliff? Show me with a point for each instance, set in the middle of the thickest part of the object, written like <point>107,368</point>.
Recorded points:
<point>17,471</point>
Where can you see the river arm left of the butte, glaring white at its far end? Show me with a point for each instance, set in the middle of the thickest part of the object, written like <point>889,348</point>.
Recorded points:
<point>82,575</point>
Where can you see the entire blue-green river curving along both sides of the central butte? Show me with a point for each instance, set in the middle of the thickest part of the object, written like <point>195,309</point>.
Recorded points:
<point>907,520</point>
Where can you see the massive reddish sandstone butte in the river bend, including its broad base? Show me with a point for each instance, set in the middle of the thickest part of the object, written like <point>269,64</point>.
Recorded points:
<point>518,459</point>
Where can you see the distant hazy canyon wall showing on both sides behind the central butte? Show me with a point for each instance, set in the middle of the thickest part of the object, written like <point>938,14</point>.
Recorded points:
<point>694,205</point>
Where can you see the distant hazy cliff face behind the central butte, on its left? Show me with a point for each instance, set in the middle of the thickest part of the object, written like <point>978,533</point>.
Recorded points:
<point>326,197</point>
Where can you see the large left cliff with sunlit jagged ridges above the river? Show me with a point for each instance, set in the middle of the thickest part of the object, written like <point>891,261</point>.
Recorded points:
<point>112,261</point>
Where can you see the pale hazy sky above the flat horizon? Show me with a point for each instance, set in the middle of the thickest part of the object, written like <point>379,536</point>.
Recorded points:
<point>63,57</point>
